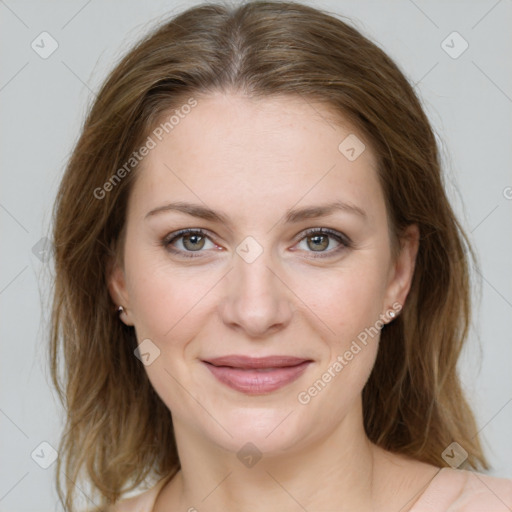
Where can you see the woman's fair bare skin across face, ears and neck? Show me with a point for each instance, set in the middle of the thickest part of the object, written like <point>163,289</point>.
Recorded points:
<point>253,160</point>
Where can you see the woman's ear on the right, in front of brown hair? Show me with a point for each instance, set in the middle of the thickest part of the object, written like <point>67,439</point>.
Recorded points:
<point>402,271</point>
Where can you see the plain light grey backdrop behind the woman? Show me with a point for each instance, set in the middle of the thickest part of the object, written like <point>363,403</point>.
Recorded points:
<point>467,95</point>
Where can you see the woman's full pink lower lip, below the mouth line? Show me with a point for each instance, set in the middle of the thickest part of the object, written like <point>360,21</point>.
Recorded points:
<point>257,382</point>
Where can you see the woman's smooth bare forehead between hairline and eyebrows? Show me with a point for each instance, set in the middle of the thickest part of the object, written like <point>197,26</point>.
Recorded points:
<point>243,155</point>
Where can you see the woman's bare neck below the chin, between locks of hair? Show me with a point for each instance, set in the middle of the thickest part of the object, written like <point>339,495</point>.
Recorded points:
<point>334,472</point>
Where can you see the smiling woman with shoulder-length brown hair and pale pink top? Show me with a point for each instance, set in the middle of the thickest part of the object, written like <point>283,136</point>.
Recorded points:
<point>261,288</point>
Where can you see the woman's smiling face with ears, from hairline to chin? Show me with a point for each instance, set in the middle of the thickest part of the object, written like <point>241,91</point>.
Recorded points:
<point>254,176</point>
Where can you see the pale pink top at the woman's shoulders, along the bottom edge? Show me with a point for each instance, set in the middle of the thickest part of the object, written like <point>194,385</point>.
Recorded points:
<point>451,490</point>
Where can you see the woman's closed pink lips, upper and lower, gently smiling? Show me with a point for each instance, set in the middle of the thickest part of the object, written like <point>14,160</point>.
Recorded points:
<point>256,375</point>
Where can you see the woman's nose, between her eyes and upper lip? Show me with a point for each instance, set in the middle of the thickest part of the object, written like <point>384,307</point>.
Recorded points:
<point>256,301</point>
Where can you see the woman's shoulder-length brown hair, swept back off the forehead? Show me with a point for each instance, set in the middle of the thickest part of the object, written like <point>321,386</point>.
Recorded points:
<point>117,426</point>
